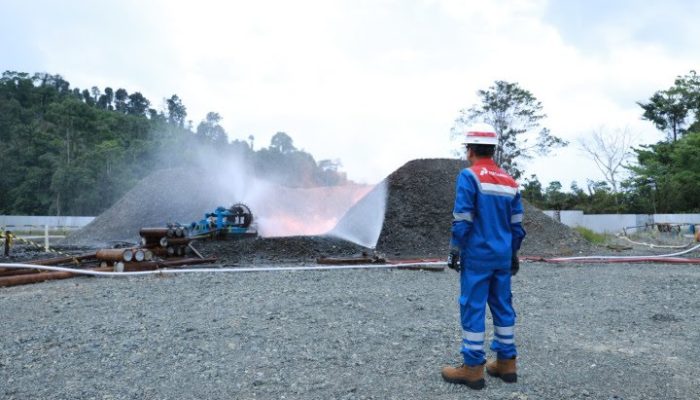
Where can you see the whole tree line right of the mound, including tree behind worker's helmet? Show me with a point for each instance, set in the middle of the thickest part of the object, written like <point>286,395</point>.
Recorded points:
<point>658,178</point>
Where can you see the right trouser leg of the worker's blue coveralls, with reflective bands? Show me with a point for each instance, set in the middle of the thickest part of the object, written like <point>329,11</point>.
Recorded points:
<point>501,305</point>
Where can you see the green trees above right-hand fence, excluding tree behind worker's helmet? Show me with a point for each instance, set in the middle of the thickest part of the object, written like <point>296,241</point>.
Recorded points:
<point>661,178</point>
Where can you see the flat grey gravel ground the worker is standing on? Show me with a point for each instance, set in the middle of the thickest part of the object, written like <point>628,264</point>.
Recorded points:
<point>585,332</point>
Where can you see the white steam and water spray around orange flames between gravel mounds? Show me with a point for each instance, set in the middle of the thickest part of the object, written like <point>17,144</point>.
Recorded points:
<point>352,212</point>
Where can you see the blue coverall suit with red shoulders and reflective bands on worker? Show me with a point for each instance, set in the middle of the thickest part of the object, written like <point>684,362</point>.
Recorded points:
<point>487,229</point>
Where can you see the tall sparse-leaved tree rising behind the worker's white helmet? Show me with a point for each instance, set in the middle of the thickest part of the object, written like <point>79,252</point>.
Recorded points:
<point>514,112</point>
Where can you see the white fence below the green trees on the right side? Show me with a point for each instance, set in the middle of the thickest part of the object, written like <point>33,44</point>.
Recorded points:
<point>614,223</point>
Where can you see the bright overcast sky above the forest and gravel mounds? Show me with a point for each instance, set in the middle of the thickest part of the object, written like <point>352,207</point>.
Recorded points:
<point>373,83</point>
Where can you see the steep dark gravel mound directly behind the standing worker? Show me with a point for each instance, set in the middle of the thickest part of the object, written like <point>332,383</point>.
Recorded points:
<point>418,215</point>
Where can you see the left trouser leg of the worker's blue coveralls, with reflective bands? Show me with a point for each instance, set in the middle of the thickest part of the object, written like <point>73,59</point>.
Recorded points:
<point>474,293</point>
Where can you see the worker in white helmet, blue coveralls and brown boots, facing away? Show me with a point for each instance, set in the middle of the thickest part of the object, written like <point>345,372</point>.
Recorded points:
<point>486,235</point>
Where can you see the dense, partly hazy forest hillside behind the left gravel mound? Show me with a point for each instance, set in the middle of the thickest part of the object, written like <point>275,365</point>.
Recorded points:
<point>67,151</point>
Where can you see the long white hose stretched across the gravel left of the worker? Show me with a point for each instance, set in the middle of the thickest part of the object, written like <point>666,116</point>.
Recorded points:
<point>247,269</point>
